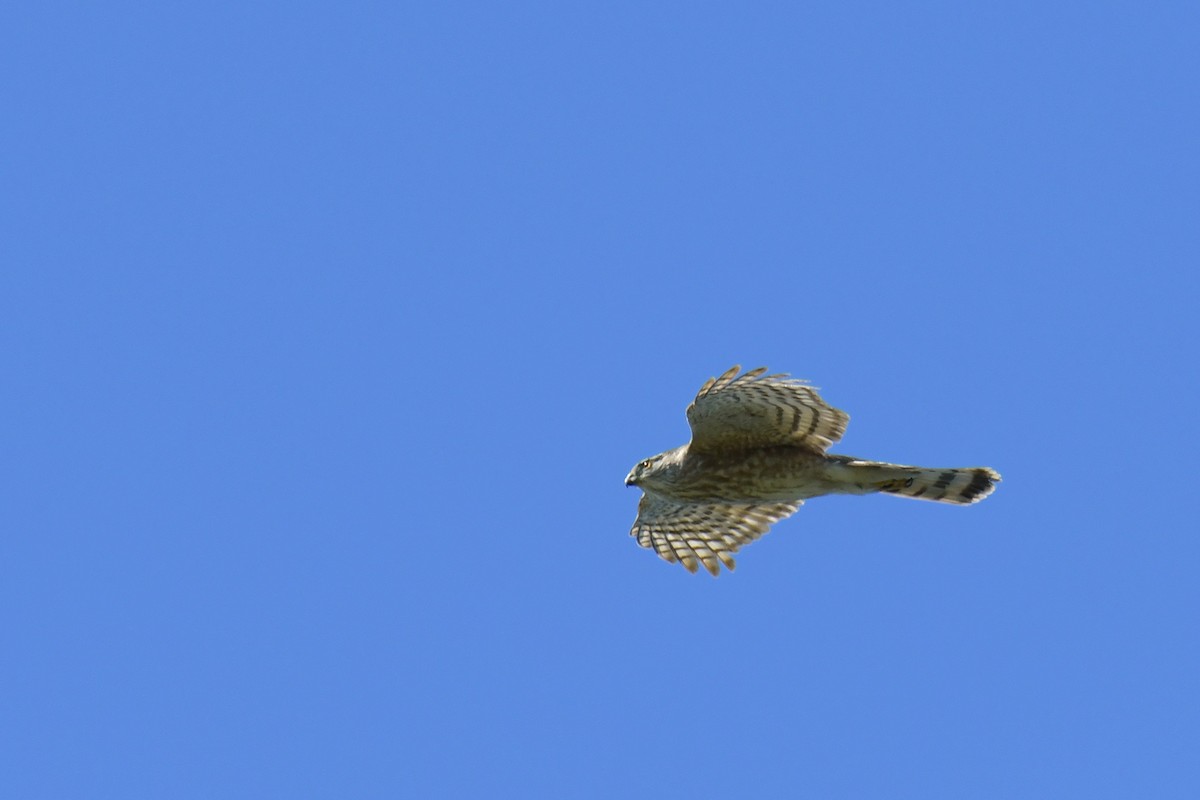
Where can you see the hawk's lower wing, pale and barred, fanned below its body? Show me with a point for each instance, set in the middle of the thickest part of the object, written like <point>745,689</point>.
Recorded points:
<point>703,533</point>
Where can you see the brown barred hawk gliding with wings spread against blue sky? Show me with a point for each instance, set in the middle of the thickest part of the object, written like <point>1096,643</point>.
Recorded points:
<point>758,452</point>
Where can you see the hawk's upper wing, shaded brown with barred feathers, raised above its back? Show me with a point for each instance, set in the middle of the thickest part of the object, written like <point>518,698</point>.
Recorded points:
<point>755,411</point>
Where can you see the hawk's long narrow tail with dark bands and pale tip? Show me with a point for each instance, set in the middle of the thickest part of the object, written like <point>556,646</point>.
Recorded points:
<point>962,486</point>
